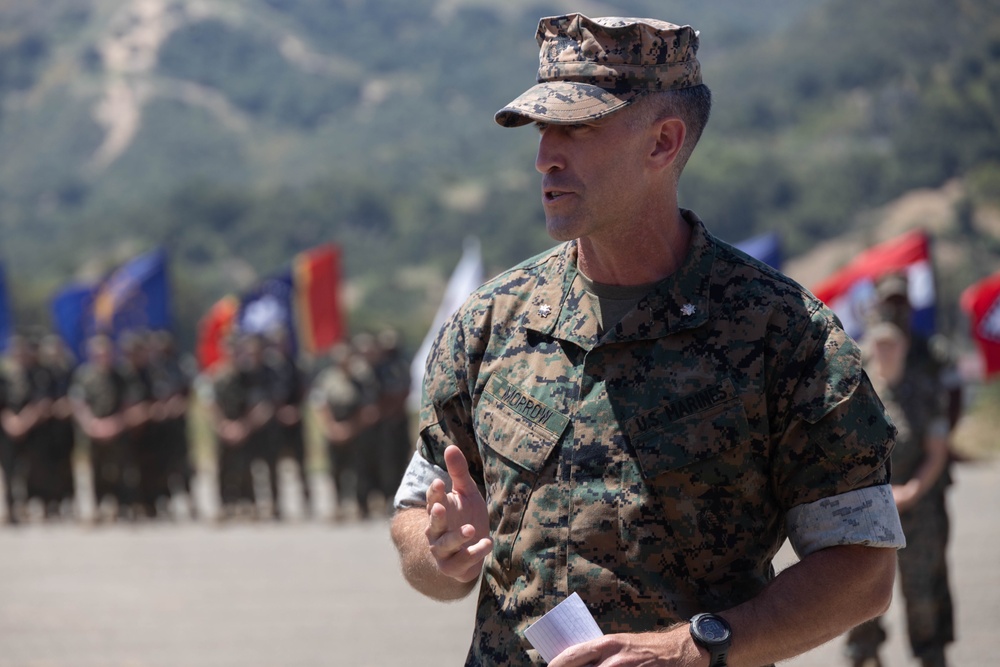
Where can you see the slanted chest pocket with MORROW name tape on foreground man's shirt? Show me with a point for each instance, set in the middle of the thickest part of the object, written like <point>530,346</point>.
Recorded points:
<point>517,433</point>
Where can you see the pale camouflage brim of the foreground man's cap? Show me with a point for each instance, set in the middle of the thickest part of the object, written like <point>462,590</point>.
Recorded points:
<point>562,102</point>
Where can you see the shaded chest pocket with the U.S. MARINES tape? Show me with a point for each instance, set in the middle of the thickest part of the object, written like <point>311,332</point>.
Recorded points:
<point>693,428</point>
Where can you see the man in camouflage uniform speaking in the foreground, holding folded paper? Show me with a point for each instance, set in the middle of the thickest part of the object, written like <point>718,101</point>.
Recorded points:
<point>643,414</point>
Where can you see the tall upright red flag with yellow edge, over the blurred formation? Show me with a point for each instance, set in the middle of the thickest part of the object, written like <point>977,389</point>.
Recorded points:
<point>317,295</point>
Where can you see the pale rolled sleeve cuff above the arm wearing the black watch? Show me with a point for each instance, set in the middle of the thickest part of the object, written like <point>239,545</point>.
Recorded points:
<point>865,516</point>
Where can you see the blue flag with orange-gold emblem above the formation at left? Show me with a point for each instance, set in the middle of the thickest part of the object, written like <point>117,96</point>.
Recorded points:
<point>134,296</point>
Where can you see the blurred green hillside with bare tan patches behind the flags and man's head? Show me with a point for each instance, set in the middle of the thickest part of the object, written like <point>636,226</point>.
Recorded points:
<point>238,133</point>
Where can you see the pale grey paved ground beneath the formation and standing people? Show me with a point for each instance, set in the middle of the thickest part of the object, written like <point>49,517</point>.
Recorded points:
<point>317,593</point>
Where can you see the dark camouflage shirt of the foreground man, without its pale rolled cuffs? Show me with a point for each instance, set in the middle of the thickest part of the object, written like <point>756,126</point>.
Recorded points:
<point>650,468</point>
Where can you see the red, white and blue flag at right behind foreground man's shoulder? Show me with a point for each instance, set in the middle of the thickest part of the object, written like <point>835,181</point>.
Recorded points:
<point>850,292</point>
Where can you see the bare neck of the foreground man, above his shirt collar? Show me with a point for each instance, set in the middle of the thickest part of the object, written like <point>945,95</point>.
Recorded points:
<point>647,254</point>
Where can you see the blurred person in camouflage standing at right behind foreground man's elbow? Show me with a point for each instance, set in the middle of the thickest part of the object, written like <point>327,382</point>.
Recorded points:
<point>912,394</point>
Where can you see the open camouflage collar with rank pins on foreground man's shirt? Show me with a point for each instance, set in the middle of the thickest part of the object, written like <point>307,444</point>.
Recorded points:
<point>678,302</point>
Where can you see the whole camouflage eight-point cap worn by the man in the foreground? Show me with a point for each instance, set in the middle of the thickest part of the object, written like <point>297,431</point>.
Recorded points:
<point>589,68</point>
